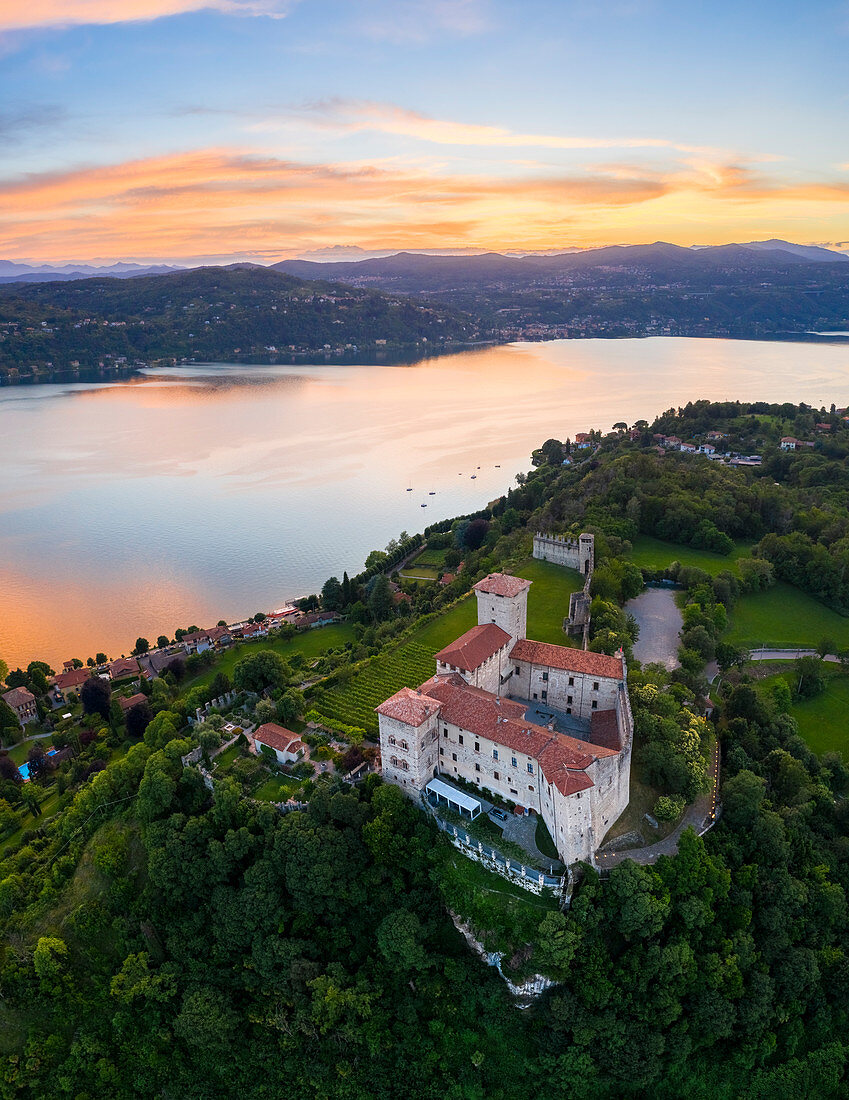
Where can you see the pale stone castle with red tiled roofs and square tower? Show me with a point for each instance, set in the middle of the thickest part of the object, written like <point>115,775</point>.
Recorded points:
<point>546,727</point>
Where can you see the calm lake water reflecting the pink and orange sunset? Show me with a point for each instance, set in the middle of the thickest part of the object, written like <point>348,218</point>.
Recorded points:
<point>213,492</point>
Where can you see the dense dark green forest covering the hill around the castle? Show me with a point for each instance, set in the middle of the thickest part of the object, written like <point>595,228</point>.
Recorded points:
<point>163,940</point>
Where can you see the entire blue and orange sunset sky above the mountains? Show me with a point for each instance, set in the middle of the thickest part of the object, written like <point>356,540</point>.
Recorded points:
<point>207,131</point>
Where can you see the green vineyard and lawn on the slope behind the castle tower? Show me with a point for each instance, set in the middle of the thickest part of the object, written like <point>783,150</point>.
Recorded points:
<point>412,663</point>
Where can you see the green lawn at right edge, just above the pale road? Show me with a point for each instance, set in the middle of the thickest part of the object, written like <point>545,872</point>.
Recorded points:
<point>784,617</point>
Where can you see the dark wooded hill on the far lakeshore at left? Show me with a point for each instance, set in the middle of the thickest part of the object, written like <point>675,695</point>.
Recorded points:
<point>242,313</point>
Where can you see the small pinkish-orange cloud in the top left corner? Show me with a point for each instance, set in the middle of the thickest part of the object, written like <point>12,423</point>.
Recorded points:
<point>17,16</point>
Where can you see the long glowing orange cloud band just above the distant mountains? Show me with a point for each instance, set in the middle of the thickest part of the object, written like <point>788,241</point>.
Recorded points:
<point>229,203</point>
